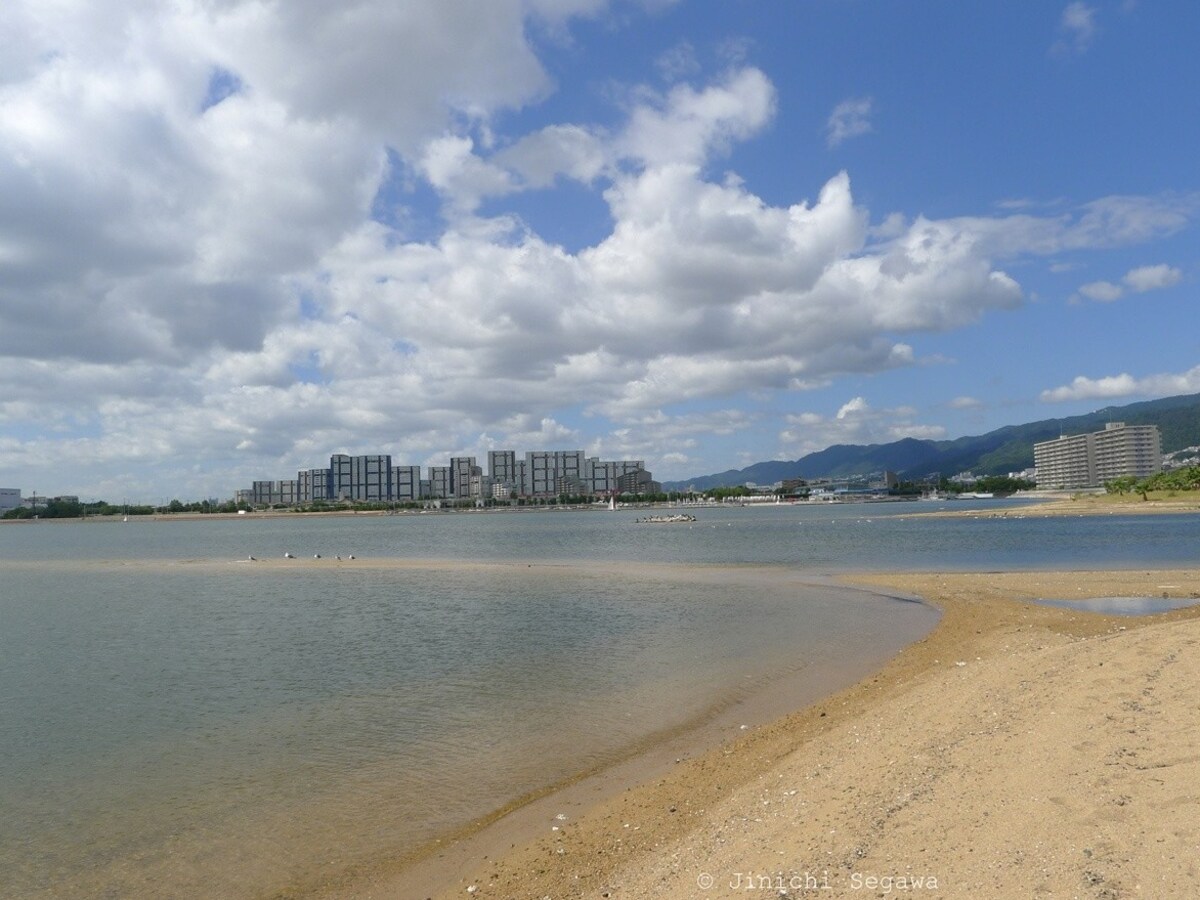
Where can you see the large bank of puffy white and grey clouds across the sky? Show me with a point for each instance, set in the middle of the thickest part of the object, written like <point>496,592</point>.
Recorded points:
<point>238,237</point>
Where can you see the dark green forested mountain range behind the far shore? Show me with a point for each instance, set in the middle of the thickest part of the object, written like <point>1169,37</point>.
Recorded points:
<point>998,453</point>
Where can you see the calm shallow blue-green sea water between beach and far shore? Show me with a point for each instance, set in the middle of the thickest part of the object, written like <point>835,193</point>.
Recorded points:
<point>177,721</point>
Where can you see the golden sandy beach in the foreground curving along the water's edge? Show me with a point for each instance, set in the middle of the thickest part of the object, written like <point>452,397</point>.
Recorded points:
<point>1021,751</point>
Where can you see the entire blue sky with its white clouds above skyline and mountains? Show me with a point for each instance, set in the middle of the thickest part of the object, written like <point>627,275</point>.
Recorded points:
<point>238,237</point>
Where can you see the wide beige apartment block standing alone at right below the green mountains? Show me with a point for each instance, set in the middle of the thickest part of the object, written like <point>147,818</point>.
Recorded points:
<point>1082,461</point>
